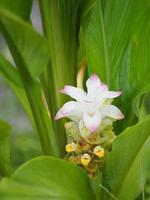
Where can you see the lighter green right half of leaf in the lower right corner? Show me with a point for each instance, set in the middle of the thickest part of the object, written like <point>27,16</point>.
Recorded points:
<point>137,176</point>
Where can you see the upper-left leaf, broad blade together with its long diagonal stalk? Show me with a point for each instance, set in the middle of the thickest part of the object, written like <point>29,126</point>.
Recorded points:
<point>30,53</point>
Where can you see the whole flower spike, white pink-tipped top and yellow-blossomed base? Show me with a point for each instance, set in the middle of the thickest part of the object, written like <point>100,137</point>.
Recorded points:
<point>90,132</point>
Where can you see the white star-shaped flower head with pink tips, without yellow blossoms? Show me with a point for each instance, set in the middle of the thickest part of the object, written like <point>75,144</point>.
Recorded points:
<point>91,107</point>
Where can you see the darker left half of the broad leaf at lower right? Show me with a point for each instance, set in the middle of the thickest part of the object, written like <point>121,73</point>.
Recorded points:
<point>120,161</point>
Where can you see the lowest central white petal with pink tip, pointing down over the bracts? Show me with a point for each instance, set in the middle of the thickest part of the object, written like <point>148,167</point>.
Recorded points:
<point>92,122</point>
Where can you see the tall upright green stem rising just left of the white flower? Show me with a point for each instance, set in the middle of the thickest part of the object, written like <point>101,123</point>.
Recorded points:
<point>57,67</point>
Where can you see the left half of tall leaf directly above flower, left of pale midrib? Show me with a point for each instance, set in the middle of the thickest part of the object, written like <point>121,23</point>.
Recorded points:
<point>95,42</point>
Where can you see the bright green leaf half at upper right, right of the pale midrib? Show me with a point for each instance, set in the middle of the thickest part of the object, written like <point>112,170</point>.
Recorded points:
<point>122,20</point>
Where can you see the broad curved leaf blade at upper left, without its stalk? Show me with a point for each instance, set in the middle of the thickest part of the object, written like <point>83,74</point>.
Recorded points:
<point>25,44</point>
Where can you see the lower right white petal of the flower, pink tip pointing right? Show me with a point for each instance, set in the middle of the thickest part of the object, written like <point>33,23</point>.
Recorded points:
<point>112,111</point>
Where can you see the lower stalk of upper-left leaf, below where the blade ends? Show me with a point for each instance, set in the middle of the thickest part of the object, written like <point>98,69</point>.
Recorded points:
<point>42,121</point>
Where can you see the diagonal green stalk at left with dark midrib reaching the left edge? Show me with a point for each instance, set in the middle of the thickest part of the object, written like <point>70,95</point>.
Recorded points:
<point>33,91</point>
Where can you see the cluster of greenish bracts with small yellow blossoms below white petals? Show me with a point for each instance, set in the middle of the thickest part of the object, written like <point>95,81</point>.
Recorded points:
<point>88,152</point>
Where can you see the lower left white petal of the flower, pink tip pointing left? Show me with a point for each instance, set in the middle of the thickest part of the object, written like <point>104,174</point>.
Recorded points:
<point>71,110</point>
